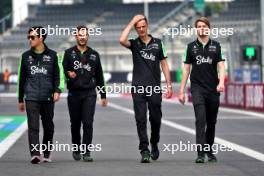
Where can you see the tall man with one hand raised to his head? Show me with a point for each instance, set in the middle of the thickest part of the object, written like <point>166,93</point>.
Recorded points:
<point>148,55</point>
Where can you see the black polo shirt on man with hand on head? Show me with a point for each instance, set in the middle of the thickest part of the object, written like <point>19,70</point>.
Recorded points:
<point>146,61</point>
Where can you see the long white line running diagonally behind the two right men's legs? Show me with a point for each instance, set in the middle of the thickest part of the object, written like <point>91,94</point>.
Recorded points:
<point>239,148</point>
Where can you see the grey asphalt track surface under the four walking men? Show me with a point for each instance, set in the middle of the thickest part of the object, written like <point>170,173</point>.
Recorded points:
<point>115,130</point>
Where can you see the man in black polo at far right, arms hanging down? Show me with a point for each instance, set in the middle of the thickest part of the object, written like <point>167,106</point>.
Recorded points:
<point>204,55</point>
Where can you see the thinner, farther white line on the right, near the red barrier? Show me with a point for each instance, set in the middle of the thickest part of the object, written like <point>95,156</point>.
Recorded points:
<point>235,111</point>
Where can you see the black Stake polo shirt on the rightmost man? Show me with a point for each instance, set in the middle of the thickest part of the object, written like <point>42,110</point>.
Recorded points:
<point>204,61</point>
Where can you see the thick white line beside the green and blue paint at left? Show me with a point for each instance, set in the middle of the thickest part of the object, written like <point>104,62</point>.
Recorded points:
<point>12,138</point>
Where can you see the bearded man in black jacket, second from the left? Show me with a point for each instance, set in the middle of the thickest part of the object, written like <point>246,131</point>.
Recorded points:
<point>83,72</point>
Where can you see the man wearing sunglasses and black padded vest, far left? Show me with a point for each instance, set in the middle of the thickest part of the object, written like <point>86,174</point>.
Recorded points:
<point>39,86</point>
